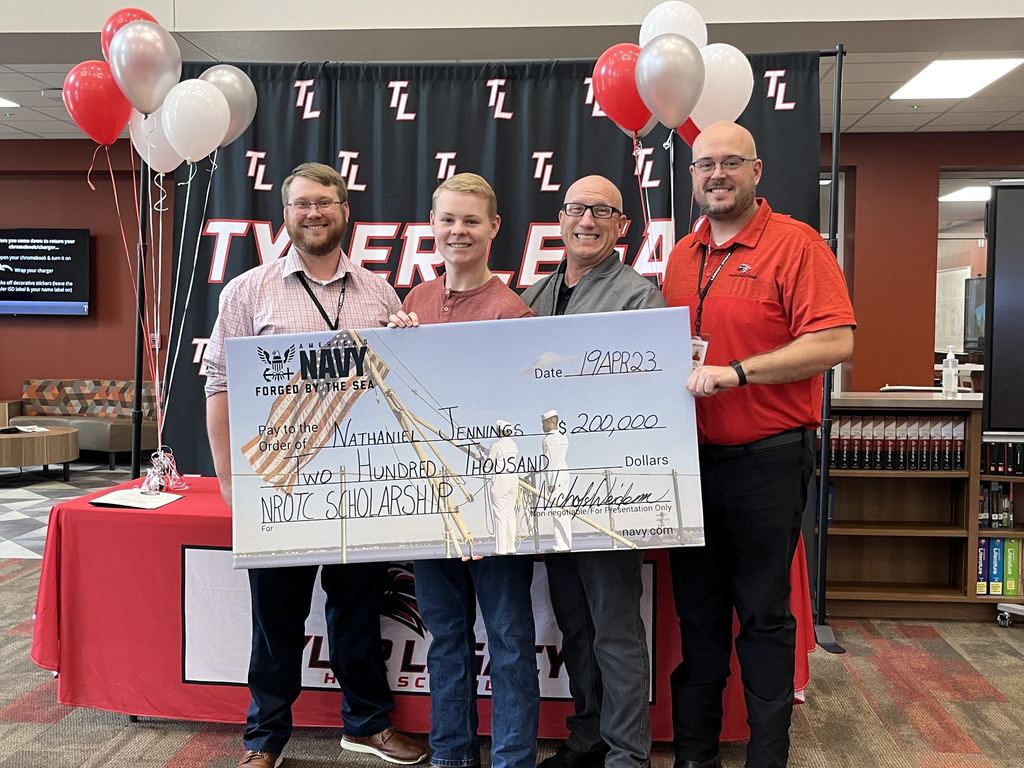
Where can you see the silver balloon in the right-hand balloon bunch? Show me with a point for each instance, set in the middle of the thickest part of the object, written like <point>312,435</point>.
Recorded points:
<point>670,77</point>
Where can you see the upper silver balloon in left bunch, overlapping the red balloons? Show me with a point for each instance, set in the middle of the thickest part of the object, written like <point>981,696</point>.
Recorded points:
<point>146,63</point>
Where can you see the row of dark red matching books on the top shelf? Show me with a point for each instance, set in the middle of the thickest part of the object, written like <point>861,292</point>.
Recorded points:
<point>899,443</point>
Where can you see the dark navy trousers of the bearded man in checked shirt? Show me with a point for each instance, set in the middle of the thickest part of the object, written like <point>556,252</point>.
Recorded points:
<point>281,601</point>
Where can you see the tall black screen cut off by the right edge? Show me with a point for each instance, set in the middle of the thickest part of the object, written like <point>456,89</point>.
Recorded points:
<point>1004,405</point>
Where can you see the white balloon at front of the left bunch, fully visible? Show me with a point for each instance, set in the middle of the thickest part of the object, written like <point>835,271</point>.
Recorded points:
<point>195,117</point>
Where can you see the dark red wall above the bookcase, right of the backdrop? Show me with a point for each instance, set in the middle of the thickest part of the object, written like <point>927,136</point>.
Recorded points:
<point>895,241</point>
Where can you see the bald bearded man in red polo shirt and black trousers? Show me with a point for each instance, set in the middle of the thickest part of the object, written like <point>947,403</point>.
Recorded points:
<point>770,313</point>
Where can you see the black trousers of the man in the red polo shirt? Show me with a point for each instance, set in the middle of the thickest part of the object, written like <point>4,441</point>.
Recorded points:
<point>753,504</point>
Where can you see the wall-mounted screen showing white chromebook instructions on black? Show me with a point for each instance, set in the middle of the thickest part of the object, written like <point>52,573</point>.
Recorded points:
<point>45,272</point>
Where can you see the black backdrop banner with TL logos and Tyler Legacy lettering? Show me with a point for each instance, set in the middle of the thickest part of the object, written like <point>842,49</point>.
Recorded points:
<point>395,132</point>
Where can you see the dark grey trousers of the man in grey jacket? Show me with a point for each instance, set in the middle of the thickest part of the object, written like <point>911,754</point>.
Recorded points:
<point>596,602</point>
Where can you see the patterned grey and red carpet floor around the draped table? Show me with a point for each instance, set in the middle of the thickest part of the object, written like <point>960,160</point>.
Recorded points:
<point>907,695</point>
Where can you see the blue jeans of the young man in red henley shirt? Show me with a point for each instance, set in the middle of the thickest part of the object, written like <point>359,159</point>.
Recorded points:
<point>447,592</point>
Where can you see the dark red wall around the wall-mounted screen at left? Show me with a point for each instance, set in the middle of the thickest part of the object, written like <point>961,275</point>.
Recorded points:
<point>44,185</point>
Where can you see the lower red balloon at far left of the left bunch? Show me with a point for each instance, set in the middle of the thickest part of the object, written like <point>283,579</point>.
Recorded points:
<point>96,103</point>
